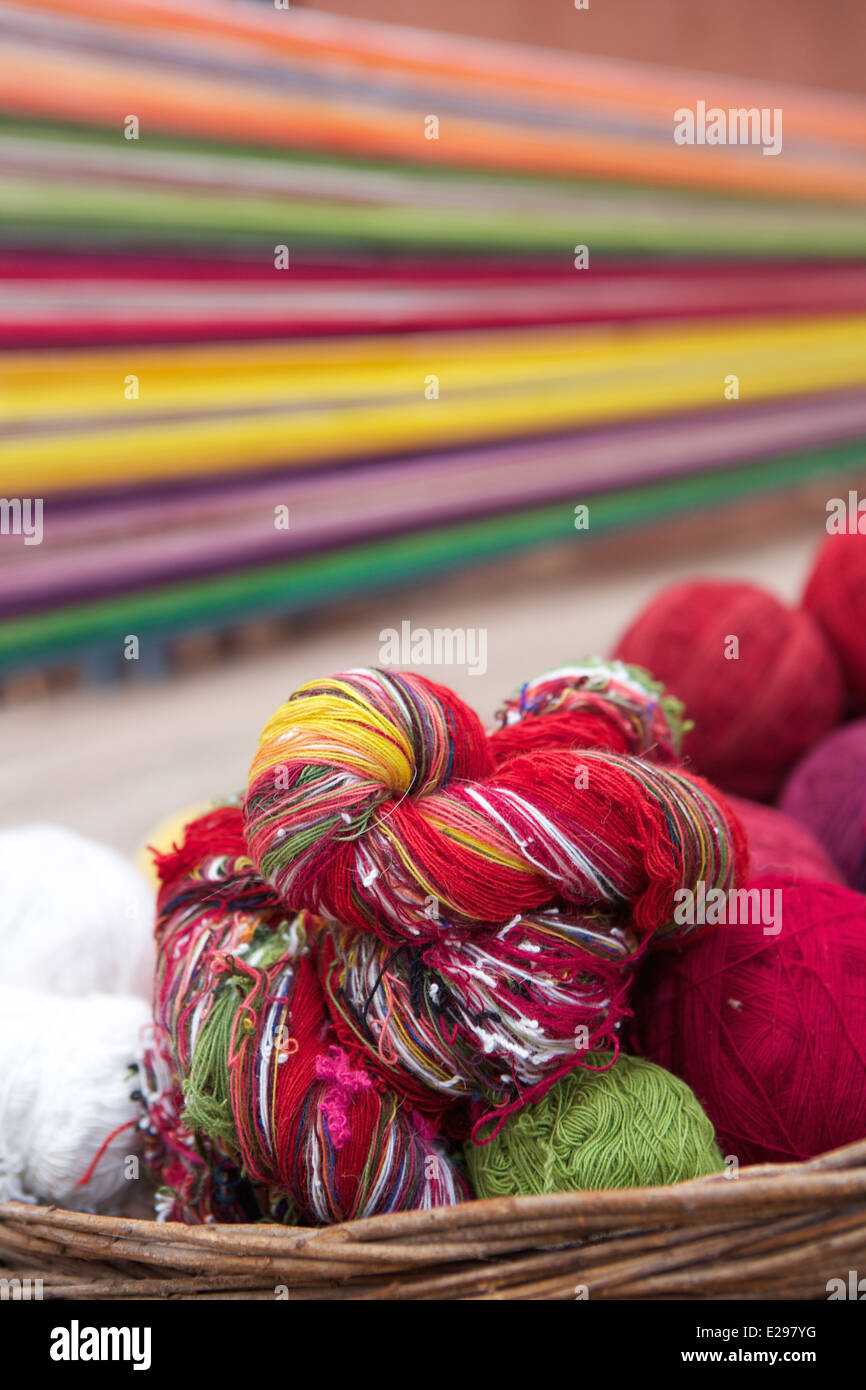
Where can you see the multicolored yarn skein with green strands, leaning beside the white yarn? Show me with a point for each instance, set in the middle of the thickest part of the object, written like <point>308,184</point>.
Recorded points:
<point>254,1107</point>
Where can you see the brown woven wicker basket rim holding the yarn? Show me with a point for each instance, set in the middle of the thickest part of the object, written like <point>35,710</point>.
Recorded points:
<point>774,1232</point>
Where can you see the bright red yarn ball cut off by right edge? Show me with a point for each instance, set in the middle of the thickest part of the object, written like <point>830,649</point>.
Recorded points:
<point>836,597</point>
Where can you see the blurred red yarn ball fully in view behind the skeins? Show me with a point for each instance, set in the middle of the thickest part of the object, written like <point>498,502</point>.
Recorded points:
<point>760,680</point>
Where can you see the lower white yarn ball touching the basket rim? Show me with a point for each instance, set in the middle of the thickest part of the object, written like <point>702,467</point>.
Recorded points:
<point>65,1088</point>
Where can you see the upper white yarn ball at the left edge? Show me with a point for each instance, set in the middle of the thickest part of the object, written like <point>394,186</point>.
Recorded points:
<point>74,915</point>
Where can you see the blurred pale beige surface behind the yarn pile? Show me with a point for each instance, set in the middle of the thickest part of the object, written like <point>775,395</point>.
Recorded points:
<point>115,761</point>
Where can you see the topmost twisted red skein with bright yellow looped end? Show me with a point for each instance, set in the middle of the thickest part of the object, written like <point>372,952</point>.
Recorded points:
<point>375,803</point>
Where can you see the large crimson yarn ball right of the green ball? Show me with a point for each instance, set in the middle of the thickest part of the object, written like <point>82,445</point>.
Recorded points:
<point>769,1031</point>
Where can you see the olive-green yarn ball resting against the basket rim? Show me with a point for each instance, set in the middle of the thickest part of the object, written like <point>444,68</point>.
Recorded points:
<point>632,1127</point>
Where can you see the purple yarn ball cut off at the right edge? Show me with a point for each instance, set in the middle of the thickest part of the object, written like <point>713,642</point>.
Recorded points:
<point>826,793</point>
